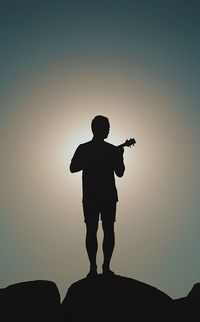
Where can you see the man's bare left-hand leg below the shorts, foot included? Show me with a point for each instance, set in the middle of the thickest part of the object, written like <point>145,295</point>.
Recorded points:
<point>92,245</point>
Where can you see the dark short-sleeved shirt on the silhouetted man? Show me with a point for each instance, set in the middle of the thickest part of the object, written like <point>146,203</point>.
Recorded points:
<point>98,161</point>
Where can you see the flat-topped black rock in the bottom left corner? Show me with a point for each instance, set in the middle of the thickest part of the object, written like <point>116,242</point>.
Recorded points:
<point>30,301</point>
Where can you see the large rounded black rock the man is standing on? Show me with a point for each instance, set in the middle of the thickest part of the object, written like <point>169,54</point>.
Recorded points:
<point>115,298</point>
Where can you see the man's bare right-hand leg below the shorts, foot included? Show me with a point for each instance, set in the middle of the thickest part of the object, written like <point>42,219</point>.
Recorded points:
<point>108,244</point>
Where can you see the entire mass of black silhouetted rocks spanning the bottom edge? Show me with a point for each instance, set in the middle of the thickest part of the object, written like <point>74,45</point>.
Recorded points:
<point>116,298</point>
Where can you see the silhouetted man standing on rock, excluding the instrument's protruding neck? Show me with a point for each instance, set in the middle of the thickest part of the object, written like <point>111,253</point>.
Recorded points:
<point>99,161</point>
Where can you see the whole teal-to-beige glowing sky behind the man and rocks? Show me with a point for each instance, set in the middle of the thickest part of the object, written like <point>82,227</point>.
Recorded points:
<point>62,63</point>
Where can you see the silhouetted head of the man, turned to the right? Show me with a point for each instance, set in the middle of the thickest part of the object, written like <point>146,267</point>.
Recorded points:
<point>100,127</point>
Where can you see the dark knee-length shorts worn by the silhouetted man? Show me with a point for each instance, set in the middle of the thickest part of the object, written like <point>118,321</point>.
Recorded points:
<point>106,211</point>
